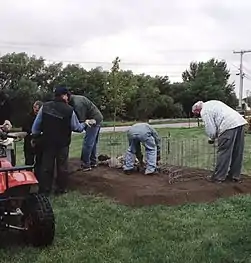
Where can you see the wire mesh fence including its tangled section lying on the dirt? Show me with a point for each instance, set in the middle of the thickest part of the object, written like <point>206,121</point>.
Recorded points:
<point>180,158</point>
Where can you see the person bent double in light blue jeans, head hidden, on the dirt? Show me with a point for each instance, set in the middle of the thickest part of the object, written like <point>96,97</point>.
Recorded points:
<point>148,136</point>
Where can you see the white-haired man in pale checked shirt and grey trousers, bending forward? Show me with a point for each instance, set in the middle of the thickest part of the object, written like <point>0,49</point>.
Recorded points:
<point>226,125</point>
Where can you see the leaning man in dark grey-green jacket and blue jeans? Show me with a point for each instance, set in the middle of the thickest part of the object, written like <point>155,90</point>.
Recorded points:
<point>85,109</point>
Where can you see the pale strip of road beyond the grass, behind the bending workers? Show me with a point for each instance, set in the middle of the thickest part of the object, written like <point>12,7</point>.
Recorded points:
<point>164,125</point>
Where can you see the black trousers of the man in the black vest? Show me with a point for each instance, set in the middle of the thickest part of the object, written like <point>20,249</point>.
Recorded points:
<point>50,156</point>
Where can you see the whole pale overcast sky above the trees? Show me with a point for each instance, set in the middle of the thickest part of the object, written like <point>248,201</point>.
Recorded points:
<point>151,36</point>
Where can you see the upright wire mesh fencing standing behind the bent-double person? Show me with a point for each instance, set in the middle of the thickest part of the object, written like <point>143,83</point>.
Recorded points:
<point>194,153</point>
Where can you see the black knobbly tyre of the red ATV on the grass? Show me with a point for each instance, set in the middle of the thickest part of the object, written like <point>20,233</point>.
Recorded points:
<point>38,220</point>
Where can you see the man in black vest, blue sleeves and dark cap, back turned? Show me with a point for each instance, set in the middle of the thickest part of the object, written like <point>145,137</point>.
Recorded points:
<point>56,120</point>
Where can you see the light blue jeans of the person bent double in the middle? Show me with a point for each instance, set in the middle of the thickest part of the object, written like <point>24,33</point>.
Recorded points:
<point>151,153</point>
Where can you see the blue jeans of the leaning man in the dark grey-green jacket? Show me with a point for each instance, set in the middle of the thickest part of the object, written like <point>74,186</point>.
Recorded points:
<point>89,149</point>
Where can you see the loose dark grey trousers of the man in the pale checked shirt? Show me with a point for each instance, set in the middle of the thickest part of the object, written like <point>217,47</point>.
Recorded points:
<point>230,154</point>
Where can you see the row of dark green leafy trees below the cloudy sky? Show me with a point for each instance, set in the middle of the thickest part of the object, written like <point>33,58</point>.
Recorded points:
<point>119,94</point>
